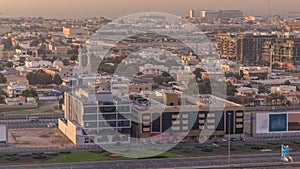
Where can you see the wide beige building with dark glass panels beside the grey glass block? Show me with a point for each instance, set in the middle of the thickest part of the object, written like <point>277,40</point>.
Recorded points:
<point>186,117</point>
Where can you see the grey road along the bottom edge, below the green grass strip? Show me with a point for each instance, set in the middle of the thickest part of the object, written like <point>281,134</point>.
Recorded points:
<point>241,161</point>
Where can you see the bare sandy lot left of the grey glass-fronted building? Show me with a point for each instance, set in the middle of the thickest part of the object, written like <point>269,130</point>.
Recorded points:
<point>38,138</point>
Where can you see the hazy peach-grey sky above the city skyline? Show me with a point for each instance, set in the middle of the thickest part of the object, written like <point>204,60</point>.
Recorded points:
<point>116,8</point>
